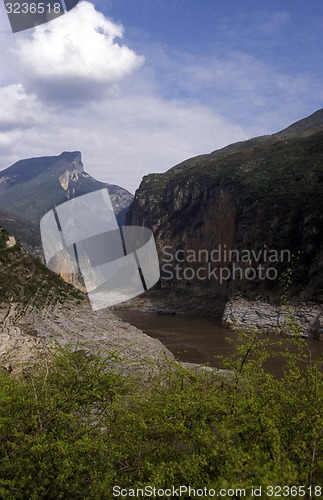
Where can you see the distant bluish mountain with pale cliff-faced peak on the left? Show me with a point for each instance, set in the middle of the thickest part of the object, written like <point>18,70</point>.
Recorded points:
<point>31,187</point>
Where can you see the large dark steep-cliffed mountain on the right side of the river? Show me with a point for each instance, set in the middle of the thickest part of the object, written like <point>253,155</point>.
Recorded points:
<point>255,199</point>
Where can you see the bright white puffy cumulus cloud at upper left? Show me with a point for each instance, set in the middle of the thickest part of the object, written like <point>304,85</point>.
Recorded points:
<point>76,57</point>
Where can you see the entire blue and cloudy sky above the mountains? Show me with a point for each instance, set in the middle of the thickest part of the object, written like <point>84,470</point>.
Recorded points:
<point>140,85</point>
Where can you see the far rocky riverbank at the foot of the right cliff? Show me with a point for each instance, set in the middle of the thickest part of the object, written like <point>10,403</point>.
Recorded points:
<point>234,313</point>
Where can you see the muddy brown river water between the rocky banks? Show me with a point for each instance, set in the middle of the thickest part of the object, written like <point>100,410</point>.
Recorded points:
<point>197,339</point>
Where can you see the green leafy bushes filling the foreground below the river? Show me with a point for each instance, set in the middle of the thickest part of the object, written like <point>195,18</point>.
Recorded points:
<point>76,428</point>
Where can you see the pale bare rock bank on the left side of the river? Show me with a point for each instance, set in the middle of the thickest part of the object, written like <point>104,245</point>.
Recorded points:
<point>27,333</point>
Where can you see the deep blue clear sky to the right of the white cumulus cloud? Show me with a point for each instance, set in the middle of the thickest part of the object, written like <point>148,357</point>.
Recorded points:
<point>240,39</point>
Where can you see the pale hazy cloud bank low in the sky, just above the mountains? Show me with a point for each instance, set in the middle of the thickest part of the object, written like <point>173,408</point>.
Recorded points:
<point>124,138</point>
